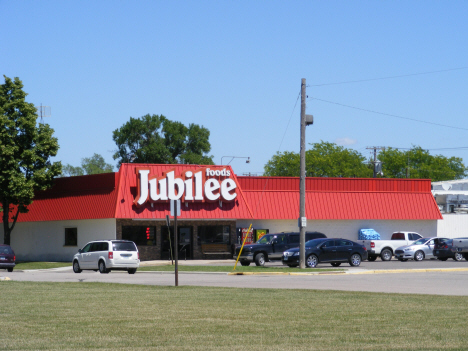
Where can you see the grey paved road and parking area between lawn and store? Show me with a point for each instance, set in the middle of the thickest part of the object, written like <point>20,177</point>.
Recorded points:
<point>427,277</point>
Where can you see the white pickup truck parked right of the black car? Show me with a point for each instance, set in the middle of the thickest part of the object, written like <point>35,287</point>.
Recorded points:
<point>386,248</point>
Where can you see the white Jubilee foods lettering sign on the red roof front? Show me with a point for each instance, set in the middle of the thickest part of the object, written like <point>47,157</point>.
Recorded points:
<point>204,184</point>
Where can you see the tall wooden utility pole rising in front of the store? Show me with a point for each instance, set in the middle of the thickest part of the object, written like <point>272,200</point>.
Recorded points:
<point>302,179</point>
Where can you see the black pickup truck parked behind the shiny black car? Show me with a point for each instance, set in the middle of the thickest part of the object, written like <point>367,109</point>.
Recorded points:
<point>271,247</point>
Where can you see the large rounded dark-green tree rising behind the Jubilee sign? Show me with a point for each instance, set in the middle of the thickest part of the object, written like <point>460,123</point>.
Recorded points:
<point>156,139</point>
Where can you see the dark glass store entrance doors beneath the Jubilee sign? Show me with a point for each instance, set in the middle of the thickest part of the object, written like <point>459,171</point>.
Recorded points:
<point>185,243</point>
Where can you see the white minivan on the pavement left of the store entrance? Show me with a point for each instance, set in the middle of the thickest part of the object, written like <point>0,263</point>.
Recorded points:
<point>107,255</point>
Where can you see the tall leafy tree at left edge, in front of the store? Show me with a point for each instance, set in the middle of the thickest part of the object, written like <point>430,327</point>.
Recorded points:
<point>25,151</point>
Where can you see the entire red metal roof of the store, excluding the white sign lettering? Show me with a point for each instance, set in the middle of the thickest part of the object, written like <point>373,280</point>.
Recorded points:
<point>111,195</point>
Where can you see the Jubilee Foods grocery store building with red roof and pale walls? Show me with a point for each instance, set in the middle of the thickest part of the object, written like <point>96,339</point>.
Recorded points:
<point>216,208</point>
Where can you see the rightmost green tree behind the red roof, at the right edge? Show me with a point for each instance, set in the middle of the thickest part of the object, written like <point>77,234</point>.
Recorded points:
<point>417,163</point>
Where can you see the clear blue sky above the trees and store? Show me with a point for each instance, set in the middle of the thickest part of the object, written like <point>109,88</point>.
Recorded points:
<point>235,67</point>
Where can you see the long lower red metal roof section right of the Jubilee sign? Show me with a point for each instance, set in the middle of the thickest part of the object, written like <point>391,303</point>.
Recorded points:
<point>341,198</point>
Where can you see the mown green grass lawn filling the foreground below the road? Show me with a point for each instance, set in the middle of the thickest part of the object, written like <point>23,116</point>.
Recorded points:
<point>96,316</point>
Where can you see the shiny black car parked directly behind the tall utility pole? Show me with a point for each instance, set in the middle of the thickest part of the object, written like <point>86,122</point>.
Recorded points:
<point>333,250</point>
